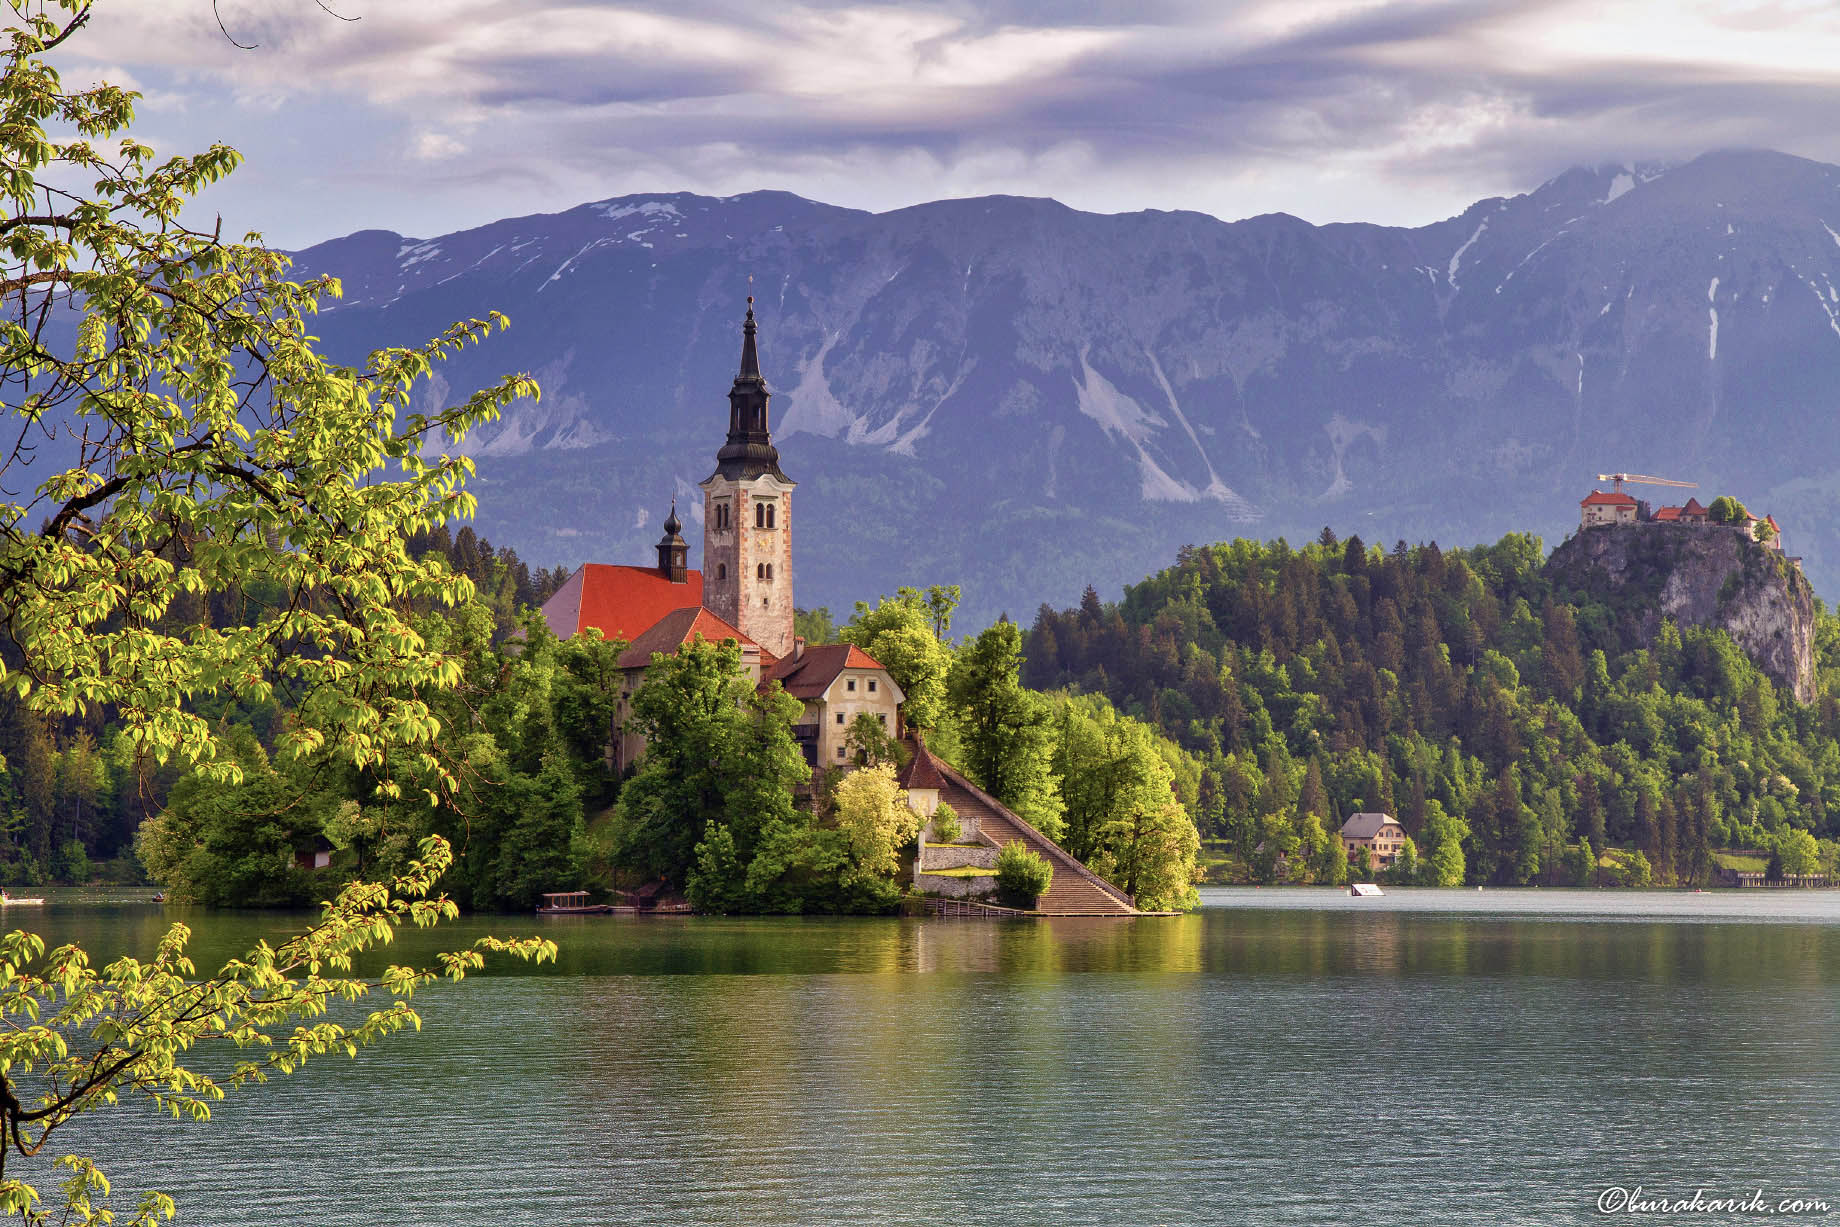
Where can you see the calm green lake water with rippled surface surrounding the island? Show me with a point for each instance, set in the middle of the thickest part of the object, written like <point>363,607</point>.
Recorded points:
<point>1283,1057</point>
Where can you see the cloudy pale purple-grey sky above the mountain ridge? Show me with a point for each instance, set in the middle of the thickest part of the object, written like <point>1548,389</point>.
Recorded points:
<point>426,117</point>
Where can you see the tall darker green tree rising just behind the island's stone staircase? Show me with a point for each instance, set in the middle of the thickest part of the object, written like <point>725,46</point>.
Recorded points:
<point>1006,729</point>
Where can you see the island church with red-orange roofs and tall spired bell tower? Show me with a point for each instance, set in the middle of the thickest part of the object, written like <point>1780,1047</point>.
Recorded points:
<point>742,593</point>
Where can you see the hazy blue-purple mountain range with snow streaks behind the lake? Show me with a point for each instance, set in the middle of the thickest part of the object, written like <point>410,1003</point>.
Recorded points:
<point>1022,398</point>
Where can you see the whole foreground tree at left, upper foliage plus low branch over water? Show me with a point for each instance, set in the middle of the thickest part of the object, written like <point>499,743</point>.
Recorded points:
<point>189,442</point>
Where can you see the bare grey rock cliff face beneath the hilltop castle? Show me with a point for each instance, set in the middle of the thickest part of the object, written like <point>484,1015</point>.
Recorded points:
<point>1699,579</point>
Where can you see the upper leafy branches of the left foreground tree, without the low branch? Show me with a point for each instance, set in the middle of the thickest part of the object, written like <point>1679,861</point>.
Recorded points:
<point>218,453</point>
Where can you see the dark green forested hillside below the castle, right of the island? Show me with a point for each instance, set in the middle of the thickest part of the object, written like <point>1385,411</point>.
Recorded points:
<point>1499,717</point>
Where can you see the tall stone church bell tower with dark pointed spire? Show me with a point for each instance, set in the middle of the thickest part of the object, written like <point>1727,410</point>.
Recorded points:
<point>748,525</point>
